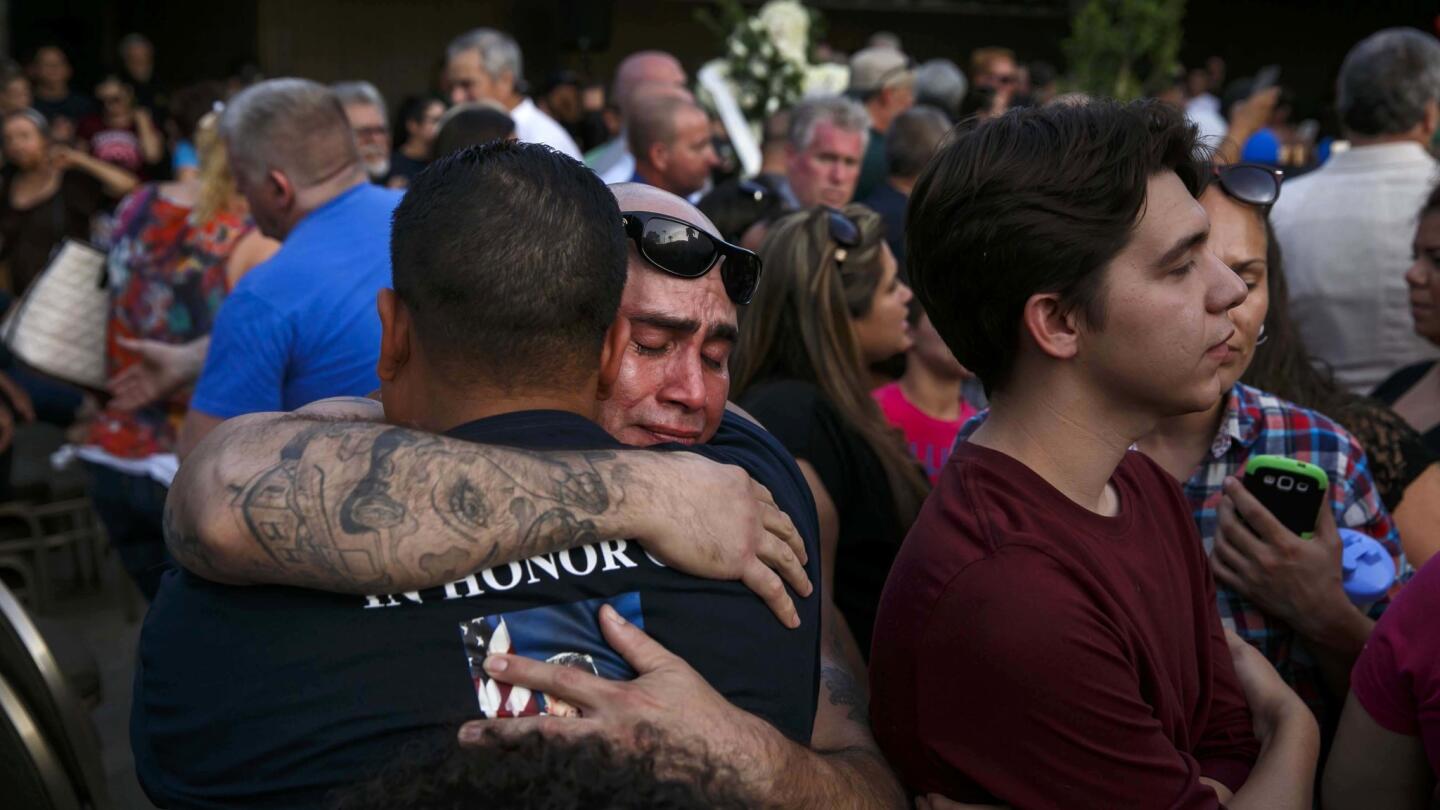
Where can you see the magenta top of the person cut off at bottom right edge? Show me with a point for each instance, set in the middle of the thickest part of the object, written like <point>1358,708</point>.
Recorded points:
<point>1398,677</point>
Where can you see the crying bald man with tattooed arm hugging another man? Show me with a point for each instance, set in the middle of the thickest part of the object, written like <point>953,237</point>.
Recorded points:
<point>680,309</point>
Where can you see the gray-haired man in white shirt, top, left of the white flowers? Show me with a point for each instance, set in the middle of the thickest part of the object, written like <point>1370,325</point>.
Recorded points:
<point>486,66</point>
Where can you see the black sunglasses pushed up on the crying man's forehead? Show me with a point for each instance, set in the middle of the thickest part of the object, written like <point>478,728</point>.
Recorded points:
<point>683,250</point>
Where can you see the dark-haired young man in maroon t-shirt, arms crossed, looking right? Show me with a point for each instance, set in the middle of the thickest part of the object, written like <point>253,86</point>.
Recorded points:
<point>1049,633</point>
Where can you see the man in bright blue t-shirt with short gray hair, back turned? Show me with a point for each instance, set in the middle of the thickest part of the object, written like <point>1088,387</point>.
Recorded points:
<point>302,326</point>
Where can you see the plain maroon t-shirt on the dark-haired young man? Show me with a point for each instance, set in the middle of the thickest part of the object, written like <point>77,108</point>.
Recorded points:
<point>1036,654</point>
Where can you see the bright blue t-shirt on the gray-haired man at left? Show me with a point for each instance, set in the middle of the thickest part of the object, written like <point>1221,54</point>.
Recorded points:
<point>303,326</point>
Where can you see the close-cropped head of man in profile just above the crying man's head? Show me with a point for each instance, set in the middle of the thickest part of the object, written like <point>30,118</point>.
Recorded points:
<point>670,139</point>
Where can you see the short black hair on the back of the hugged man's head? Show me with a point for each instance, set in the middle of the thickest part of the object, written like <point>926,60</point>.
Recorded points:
<point>512,259</point>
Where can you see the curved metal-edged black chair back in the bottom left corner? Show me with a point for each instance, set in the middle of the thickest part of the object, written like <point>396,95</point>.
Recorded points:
<point>30,668</point>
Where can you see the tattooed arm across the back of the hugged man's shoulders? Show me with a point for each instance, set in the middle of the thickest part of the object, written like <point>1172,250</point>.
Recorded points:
<point>361,507</point>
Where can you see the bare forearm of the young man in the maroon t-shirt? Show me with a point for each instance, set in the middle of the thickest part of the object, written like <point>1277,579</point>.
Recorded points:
<point>1285,773</point>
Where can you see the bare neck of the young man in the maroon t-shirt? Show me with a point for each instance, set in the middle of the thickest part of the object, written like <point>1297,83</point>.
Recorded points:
<point>1065,433</point>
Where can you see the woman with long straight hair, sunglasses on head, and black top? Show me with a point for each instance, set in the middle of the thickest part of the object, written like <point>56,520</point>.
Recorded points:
<point>832,303</point>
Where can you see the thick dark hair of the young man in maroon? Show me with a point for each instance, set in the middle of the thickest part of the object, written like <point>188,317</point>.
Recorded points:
<point>1035,201</point>
